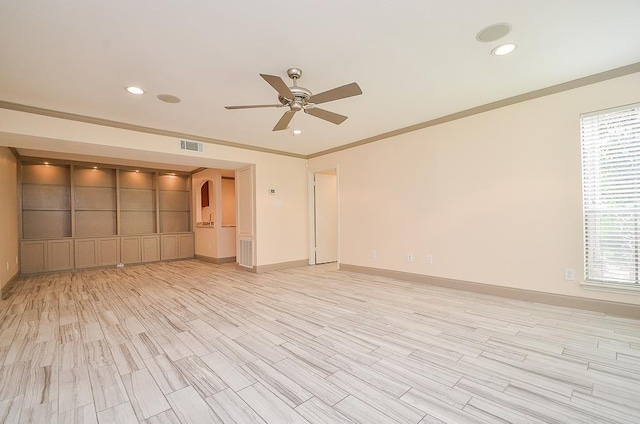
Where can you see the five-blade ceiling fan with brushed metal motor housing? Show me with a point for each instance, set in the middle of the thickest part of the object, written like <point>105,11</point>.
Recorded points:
<point>299,98</point>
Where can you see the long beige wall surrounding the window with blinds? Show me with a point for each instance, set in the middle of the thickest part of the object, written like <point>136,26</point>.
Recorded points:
<point>495,197</point>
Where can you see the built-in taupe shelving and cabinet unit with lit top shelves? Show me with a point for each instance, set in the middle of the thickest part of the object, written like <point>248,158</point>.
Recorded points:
<point>77,216</point>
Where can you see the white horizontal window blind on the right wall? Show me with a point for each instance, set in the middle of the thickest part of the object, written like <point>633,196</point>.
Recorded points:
<point>611,194</point>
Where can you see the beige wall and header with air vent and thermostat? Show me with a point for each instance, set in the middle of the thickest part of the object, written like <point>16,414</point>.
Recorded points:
<point>281,231</point>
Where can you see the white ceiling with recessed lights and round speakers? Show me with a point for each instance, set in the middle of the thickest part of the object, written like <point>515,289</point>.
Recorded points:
<point>415,60</point>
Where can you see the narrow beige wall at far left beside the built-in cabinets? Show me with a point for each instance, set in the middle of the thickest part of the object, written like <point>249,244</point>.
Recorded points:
<point>8,216</point>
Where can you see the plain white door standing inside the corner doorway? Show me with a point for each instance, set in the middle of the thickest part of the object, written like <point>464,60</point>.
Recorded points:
<point>326,218</point>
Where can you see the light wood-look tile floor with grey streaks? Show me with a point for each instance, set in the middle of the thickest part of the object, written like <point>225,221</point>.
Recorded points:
<point>192,342</point>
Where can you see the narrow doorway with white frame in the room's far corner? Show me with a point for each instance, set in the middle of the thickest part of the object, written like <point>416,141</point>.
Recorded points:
<point>324,222</point>
